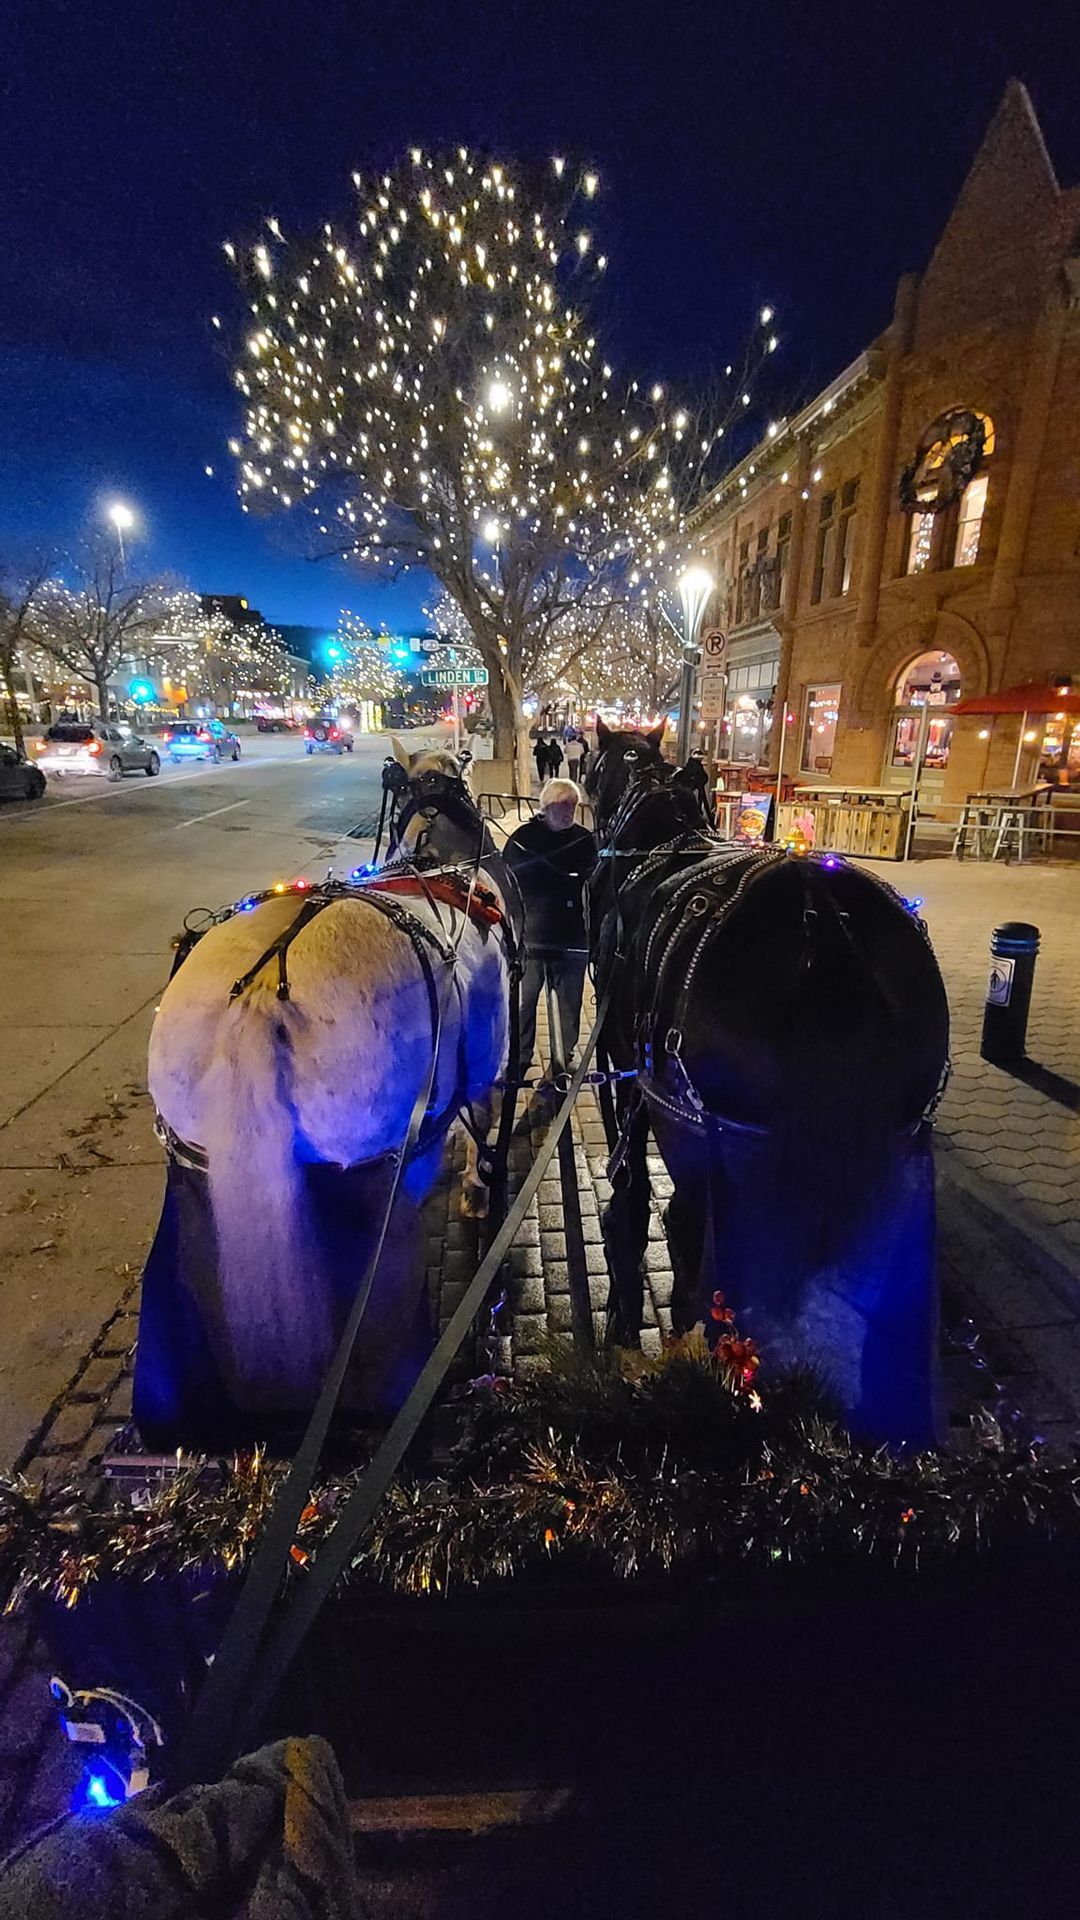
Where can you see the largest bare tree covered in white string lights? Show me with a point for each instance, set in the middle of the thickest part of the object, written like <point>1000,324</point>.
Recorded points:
<point>431,383</point>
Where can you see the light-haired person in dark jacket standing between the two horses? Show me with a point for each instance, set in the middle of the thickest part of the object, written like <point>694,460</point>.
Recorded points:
<point>552,861</point>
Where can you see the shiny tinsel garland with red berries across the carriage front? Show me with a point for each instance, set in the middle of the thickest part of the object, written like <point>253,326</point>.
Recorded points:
<point>683,1476</point>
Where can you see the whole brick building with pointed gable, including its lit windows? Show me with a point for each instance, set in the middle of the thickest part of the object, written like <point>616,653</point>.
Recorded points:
<point>914,535</point>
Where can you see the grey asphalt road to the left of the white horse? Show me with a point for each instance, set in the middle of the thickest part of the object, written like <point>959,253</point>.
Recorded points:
<point>95,882</point>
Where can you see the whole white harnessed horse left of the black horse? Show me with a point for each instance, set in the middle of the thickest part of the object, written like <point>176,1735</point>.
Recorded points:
<point>280,1092</point>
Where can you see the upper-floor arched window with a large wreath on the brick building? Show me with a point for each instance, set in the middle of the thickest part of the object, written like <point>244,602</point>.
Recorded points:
<point>945,491</point>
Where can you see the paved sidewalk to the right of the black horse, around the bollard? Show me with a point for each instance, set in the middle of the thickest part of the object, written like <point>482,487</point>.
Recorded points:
<point>1008,1151</point>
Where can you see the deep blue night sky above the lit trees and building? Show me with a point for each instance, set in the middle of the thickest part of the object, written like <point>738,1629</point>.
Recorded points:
<point>797,155</point>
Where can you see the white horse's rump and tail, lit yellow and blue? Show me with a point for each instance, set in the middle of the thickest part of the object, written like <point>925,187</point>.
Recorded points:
<point>331,1074</point>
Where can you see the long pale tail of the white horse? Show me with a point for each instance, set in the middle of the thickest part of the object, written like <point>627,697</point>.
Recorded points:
<point>272,1307</point>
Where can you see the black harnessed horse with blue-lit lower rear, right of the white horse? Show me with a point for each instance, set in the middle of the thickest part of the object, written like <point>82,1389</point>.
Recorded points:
<point>789,1026</point>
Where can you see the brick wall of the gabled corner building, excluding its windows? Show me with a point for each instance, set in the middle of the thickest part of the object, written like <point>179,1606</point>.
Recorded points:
<point>991,333</point>
